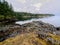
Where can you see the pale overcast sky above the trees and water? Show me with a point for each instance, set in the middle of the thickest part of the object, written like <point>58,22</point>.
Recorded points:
<point>36,6</point>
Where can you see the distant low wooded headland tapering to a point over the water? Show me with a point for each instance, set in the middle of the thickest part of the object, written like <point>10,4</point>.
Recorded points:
<point>25,16</point>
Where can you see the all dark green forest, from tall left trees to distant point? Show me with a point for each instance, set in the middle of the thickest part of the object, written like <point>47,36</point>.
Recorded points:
<point>8,14</point>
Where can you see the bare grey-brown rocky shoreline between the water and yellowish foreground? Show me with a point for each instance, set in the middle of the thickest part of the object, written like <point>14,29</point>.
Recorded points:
<point>38,27</point>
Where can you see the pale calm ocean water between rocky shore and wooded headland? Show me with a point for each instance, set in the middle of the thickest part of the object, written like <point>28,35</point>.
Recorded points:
<point>54,20</point>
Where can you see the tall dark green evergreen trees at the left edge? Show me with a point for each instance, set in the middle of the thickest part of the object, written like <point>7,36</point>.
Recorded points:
<point>6,10</point>
